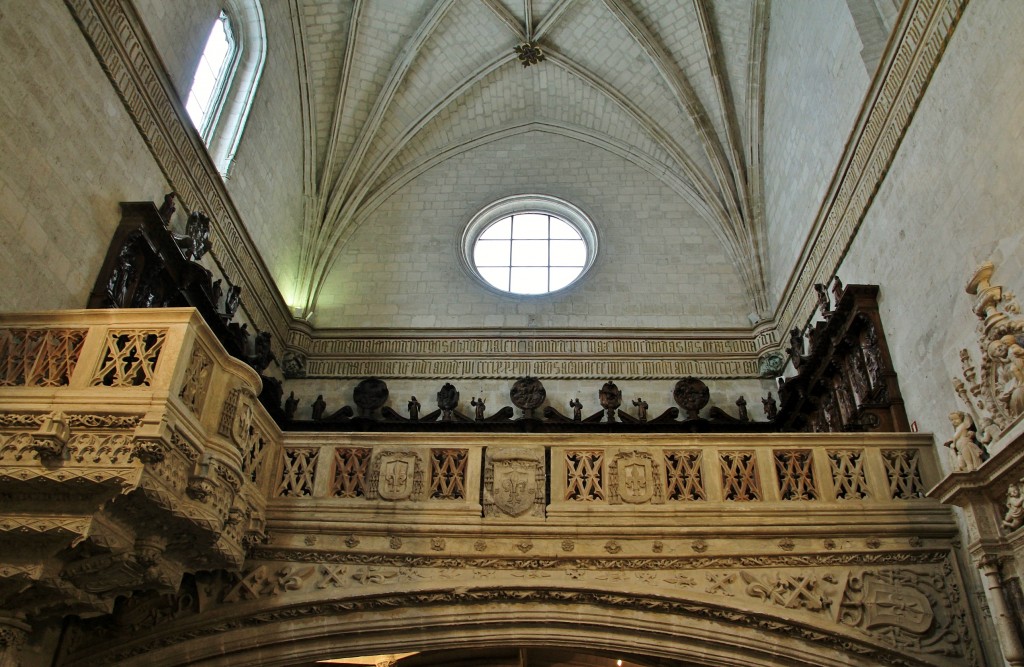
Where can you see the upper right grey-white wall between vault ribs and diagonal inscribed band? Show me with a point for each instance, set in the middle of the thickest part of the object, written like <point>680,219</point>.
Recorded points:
<point>815,85</point>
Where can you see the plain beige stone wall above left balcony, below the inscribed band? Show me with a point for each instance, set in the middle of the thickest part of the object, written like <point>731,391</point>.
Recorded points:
<point>69,153</point>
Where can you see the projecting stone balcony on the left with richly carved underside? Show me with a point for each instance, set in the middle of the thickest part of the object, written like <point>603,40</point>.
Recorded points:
<point>133,450</point>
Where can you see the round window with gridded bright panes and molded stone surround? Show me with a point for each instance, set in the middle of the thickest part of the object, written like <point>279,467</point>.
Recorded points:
<point>530,244</point>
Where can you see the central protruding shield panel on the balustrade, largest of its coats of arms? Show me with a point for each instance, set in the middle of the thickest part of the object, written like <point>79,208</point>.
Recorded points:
<point>515,483</point>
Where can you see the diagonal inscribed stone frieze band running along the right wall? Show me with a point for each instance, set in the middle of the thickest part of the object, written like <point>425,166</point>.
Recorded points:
<point>913,56</point>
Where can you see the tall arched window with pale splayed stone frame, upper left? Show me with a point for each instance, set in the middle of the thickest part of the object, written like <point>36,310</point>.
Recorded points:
<point>226,80</point>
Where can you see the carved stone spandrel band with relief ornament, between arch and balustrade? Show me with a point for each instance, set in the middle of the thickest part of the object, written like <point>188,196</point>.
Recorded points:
<point>910,609</point>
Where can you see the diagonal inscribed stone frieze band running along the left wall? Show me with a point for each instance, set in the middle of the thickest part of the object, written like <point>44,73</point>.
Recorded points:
<point>126,54</point>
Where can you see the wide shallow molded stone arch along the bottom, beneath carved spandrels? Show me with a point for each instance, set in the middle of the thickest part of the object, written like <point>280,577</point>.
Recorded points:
<point>276,631</point>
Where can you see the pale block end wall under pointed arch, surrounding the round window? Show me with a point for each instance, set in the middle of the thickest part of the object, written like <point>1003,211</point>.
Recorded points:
<point>659,263</point>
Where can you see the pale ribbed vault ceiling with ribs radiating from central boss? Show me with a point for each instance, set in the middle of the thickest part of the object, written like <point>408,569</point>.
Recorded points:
<point>397,87</point>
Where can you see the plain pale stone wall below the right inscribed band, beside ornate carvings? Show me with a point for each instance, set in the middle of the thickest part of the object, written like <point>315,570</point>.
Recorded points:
<point>952,200</point>
